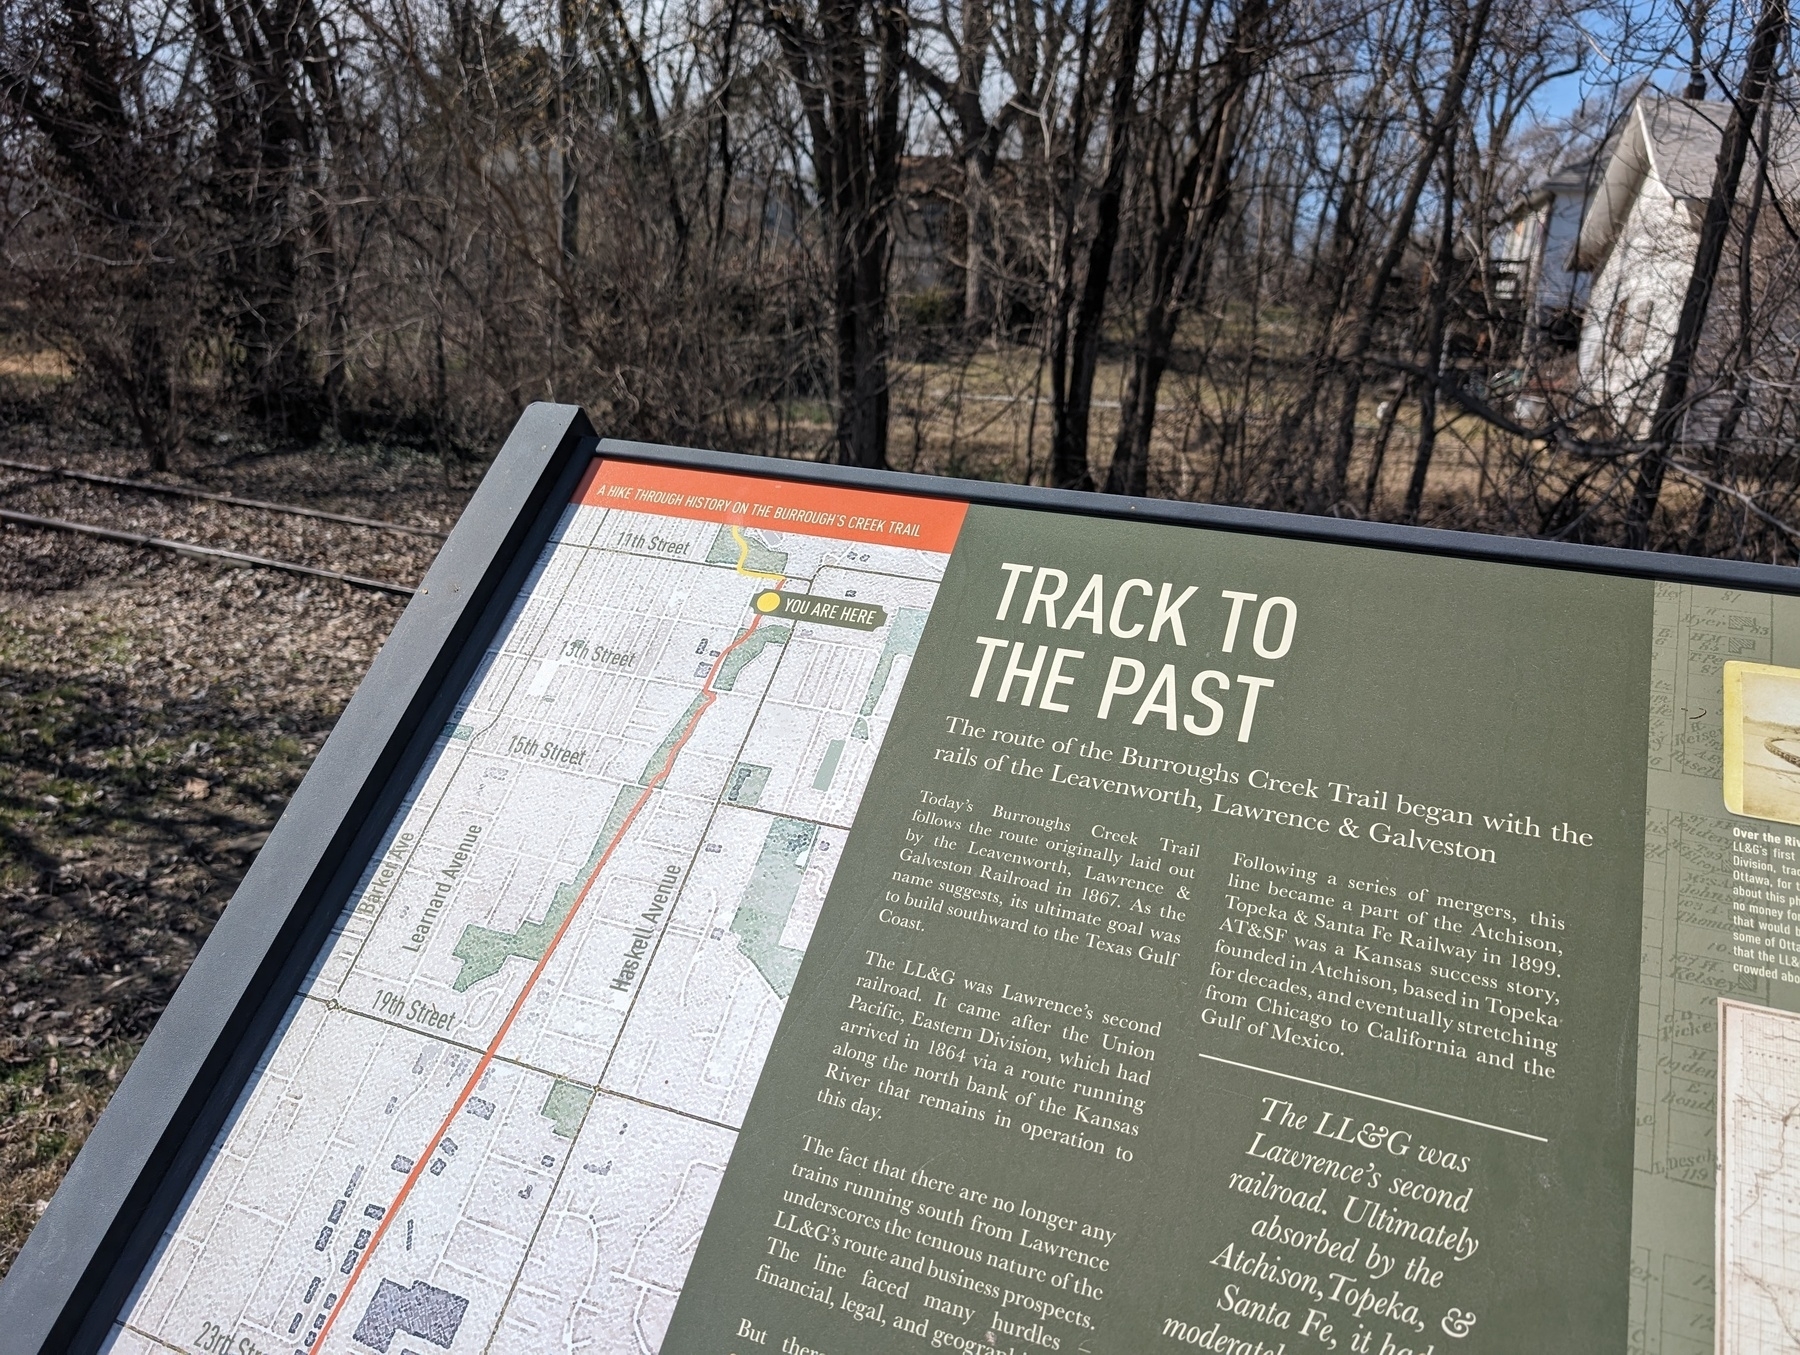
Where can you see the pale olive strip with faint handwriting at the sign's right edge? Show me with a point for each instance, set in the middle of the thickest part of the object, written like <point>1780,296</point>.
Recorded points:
<point>1695,960</point>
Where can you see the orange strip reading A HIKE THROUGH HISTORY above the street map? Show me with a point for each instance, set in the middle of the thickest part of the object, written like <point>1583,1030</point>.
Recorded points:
<point>751,501</point>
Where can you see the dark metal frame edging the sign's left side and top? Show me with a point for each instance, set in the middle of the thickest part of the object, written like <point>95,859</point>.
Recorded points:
<point>100,1232</point>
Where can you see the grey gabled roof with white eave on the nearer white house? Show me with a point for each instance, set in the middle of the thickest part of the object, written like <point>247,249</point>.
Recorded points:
<point>1673,139</point>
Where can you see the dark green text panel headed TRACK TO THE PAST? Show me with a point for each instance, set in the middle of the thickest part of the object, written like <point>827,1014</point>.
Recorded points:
<point>1218,962</point>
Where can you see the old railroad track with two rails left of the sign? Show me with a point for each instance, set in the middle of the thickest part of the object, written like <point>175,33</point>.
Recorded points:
<point>112,496</point>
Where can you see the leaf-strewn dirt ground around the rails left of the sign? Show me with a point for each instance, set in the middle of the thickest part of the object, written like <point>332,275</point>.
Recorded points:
<point>156,717</point>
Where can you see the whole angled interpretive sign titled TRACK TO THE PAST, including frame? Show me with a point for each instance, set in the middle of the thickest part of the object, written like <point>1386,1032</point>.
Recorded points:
<point>823,913</point>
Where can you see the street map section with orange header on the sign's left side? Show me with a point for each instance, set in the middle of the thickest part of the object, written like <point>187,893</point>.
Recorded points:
<point>499,1109</point>
